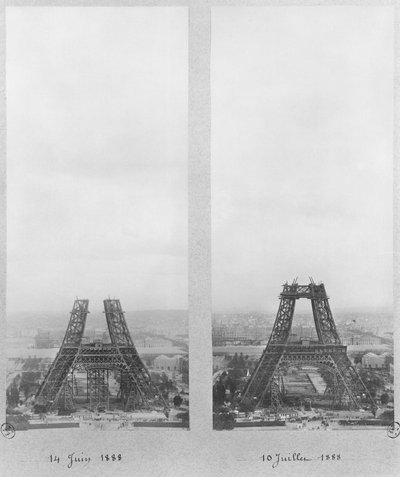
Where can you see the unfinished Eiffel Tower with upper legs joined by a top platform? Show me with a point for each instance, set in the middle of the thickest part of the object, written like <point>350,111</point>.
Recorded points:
<point>265,387</point>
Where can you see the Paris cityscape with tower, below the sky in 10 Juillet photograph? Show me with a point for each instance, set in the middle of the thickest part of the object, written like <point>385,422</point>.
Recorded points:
<point>303,381</point>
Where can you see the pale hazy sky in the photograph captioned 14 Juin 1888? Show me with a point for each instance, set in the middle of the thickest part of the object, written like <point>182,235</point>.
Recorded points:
<point>97,154</point>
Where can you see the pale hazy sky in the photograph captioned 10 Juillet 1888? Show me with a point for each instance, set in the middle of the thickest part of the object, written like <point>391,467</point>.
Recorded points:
<point>302,108</point>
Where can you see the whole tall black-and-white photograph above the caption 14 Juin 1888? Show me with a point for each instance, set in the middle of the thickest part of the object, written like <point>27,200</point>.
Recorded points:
<point>97,325</point>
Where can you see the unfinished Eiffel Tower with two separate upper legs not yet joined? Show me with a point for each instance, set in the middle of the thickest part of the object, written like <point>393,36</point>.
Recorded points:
<point>97,359</point>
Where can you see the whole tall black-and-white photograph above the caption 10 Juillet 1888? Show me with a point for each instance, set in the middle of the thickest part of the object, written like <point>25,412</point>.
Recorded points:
<point>302,218</point>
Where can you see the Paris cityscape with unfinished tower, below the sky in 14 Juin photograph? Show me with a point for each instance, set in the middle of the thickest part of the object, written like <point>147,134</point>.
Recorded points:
<point>94,391</point>
